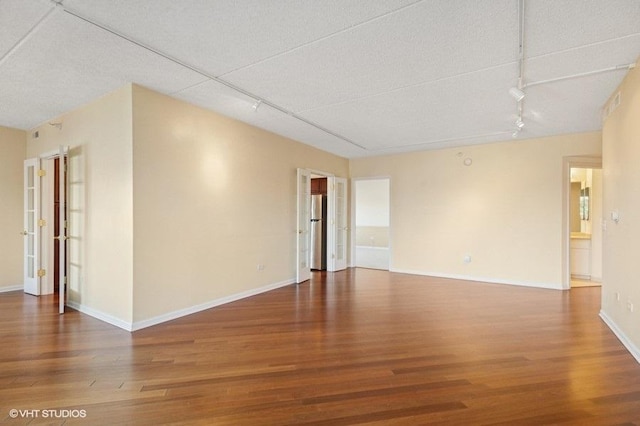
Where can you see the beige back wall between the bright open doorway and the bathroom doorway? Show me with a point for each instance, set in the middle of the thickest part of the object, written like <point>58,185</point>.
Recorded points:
<point>505,210</point>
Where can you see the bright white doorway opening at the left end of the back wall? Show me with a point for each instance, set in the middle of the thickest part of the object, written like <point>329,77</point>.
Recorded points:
<point>372,223</point>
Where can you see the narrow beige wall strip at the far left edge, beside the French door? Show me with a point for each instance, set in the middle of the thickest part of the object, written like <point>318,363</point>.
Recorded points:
<point>12,155</point>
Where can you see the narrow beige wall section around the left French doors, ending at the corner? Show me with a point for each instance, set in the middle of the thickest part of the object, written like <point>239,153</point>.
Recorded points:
<point>99,136</point>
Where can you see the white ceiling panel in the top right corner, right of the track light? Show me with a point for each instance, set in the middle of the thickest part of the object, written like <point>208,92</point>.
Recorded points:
<point>552,25</point>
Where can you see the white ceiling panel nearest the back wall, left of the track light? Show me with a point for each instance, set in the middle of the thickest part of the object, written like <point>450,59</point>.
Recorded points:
<point>465,106</point>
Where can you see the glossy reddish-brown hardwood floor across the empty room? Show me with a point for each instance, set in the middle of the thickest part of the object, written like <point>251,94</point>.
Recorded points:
<point>355,347</point>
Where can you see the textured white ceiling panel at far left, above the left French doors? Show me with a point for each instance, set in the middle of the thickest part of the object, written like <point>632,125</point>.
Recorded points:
<point>68,62</point>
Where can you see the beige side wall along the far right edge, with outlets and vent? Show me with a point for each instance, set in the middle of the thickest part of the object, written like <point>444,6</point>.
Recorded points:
<point>621,170</point>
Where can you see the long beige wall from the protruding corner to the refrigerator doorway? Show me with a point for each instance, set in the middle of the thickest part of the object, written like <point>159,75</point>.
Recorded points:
<point>214,199</point>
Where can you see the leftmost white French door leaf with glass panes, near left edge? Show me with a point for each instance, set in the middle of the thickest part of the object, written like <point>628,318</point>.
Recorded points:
<point>31,230</point>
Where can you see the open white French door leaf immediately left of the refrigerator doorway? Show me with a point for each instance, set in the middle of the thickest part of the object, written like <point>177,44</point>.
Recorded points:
<point>303,268</point>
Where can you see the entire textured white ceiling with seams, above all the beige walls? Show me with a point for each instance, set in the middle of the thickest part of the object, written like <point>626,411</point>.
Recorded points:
<point>353,77</point>
